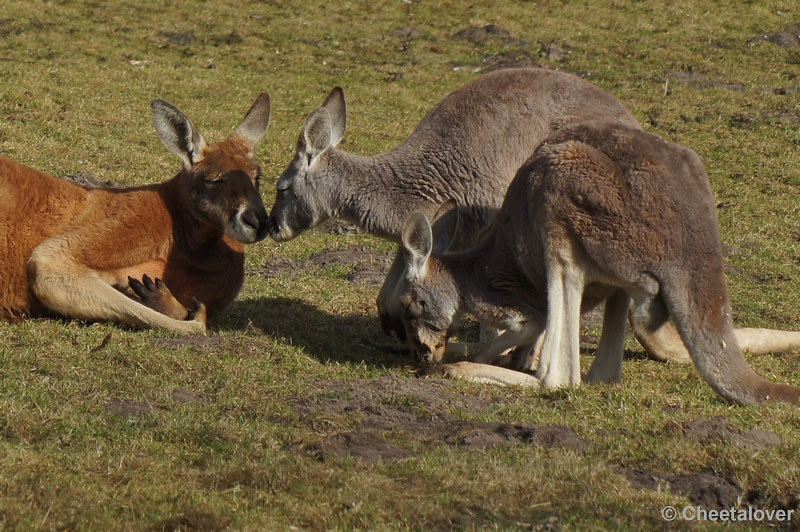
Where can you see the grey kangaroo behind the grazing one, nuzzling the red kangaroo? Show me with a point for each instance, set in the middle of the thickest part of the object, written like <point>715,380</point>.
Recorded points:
<point>468,148</point>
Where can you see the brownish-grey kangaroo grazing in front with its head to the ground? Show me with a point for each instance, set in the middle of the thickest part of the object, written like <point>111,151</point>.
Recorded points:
<point>600,212</point>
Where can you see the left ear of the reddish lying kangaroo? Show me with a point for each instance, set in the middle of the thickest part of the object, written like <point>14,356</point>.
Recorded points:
<point>178,133</point>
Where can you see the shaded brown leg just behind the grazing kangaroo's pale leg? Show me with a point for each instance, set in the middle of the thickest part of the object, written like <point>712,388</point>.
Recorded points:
<point>607,365</point>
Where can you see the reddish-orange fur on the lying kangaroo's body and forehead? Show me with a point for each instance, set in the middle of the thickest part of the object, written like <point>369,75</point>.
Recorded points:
<point>117,233</point>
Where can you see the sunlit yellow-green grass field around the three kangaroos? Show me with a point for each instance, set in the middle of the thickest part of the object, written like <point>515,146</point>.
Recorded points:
<point>137,433</point>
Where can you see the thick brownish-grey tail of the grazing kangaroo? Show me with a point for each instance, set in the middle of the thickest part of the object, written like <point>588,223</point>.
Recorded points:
<point>700,308</point>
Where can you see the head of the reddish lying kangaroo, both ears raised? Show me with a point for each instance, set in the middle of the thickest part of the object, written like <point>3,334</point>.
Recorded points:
<point>221,180</point>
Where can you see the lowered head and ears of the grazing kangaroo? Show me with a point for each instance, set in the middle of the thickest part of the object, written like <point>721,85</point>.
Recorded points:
<point>427,294</point>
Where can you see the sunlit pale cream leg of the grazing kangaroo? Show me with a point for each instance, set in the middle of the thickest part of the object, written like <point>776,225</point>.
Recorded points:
<point>559,364</point>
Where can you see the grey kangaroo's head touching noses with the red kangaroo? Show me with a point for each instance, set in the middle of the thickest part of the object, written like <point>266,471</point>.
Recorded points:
<point>306,186</point>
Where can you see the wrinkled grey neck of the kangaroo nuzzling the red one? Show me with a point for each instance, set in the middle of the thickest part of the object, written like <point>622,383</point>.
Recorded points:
<point>380,191</point>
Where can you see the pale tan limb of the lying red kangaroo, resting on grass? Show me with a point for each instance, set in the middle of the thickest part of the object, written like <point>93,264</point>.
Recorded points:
<point>78,292</point>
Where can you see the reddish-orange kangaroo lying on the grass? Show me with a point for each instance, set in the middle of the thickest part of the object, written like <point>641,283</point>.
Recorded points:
<point>168,255</point>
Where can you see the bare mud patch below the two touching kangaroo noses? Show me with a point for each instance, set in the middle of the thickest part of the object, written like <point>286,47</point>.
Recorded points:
<point>369,266</point>
